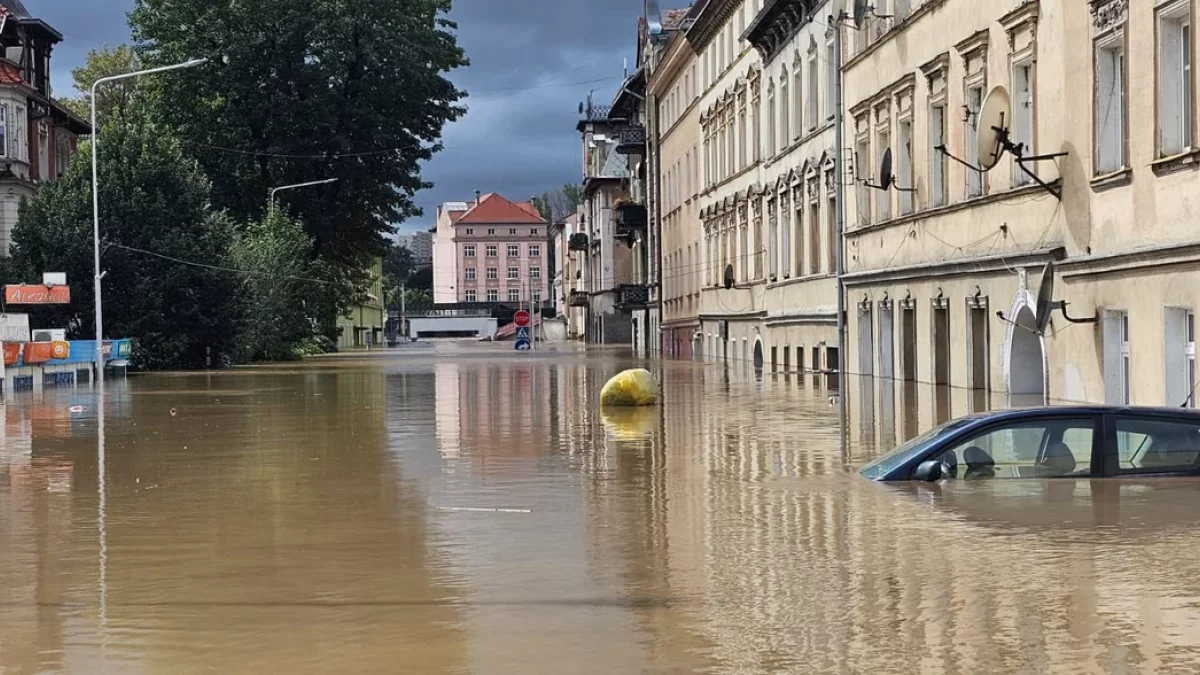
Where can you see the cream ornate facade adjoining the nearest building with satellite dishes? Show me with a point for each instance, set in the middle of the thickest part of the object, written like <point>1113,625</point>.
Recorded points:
<point>767,176</point>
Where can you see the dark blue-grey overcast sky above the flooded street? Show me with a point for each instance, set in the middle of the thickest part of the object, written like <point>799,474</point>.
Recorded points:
<point>533,62</point>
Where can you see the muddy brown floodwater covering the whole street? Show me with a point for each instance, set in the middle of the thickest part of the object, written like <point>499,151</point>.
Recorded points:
<point>467,510</point>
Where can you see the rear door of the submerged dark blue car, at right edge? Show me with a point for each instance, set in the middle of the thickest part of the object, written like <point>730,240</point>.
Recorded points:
<point>1151,445</point>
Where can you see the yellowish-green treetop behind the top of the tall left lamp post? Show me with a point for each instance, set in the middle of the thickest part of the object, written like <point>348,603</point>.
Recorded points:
<point>116,100</point>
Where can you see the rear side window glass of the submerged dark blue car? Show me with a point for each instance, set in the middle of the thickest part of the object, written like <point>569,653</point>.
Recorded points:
<point>1156,445</point>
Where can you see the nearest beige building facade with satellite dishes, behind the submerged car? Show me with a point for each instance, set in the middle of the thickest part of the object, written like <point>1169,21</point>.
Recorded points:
<point>944,271</point>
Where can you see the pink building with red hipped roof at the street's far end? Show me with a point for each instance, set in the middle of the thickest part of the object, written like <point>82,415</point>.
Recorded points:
<point>491,250</point>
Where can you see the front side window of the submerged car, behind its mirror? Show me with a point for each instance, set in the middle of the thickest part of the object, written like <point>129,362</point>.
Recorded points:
<point>1024,450</point>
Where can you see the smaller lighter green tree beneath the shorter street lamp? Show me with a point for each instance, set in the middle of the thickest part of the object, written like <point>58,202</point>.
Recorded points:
<point>281,289</point>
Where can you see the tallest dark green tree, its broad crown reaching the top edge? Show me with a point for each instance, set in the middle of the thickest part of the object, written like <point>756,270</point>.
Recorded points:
<point>297,92</point>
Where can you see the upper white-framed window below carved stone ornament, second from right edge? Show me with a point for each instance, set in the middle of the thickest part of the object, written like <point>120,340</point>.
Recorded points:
<point>1111,103</point>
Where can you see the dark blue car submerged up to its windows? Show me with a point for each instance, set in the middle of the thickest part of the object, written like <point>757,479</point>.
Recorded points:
<point>1051,443</point>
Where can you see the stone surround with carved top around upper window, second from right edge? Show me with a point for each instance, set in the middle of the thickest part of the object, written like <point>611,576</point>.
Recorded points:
<point>1111,20</point>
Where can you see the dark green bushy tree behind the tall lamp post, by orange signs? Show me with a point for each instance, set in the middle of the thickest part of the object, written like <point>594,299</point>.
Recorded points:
<point>161,244</point>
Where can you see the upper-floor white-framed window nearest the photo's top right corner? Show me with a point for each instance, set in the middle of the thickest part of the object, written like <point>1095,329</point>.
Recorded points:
<point>1175,79</point>
